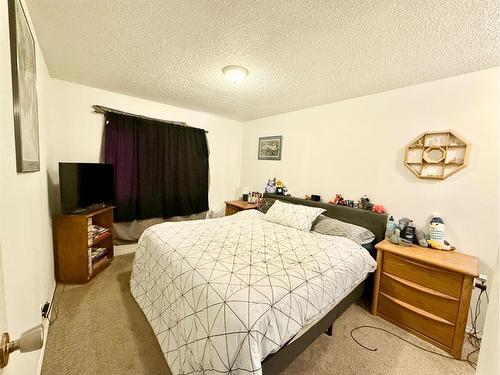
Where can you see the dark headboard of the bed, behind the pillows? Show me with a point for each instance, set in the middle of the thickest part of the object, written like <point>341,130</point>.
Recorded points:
<point>364,218</point>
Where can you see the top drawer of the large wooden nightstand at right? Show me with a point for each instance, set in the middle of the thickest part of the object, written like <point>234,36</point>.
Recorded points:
<point>433,278</point>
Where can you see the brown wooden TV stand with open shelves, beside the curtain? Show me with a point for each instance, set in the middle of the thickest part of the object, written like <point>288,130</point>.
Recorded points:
<point>73,243</point>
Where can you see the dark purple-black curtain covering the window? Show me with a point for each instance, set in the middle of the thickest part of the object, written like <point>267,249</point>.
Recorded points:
<point>161,169</point>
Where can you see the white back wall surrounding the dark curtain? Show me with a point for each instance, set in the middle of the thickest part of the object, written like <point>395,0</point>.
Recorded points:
<point>77,134</point>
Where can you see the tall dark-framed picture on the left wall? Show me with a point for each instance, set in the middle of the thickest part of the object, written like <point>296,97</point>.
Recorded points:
<point>25,103</point>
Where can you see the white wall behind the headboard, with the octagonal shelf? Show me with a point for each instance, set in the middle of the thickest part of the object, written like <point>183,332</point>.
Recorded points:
<point>356,147</point>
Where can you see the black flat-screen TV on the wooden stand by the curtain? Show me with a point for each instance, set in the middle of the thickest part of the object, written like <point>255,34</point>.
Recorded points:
<point>84,185</point>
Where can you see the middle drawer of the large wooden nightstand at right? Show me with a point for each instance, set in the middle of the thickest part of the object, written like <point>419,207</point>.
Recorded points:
<point>434,302</point>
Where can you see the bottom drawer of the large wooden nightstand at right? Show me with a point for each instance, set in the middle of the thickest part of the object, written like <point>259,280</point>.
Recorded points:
<point>416,319</point>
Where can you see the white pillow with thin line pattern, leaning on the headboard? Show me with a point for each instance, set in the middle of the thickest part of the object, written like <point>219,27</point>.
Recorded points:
<point>293,215</point>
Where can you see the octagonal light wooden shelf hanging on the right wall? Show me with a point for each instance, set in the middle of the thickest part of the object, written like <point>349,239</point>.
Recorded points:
<point>437,155</point>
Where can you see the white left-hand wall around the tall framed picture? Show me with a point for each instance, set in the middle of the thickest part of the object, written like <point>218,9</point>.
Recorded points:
<point>25,229</point>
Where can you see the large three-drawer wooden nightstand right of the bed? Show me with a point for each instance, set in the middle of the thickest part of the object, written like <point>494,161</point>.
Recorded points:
<point>426,292</point>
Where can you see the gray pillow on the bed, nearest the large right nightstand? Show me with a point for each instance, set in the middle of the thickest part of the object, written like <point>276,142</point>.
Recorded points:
<point>334,227</point>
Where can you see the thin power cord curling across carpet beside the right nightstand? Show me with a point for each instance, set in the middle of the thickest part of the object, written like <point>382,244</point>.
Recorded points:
<point>473,335</point>
